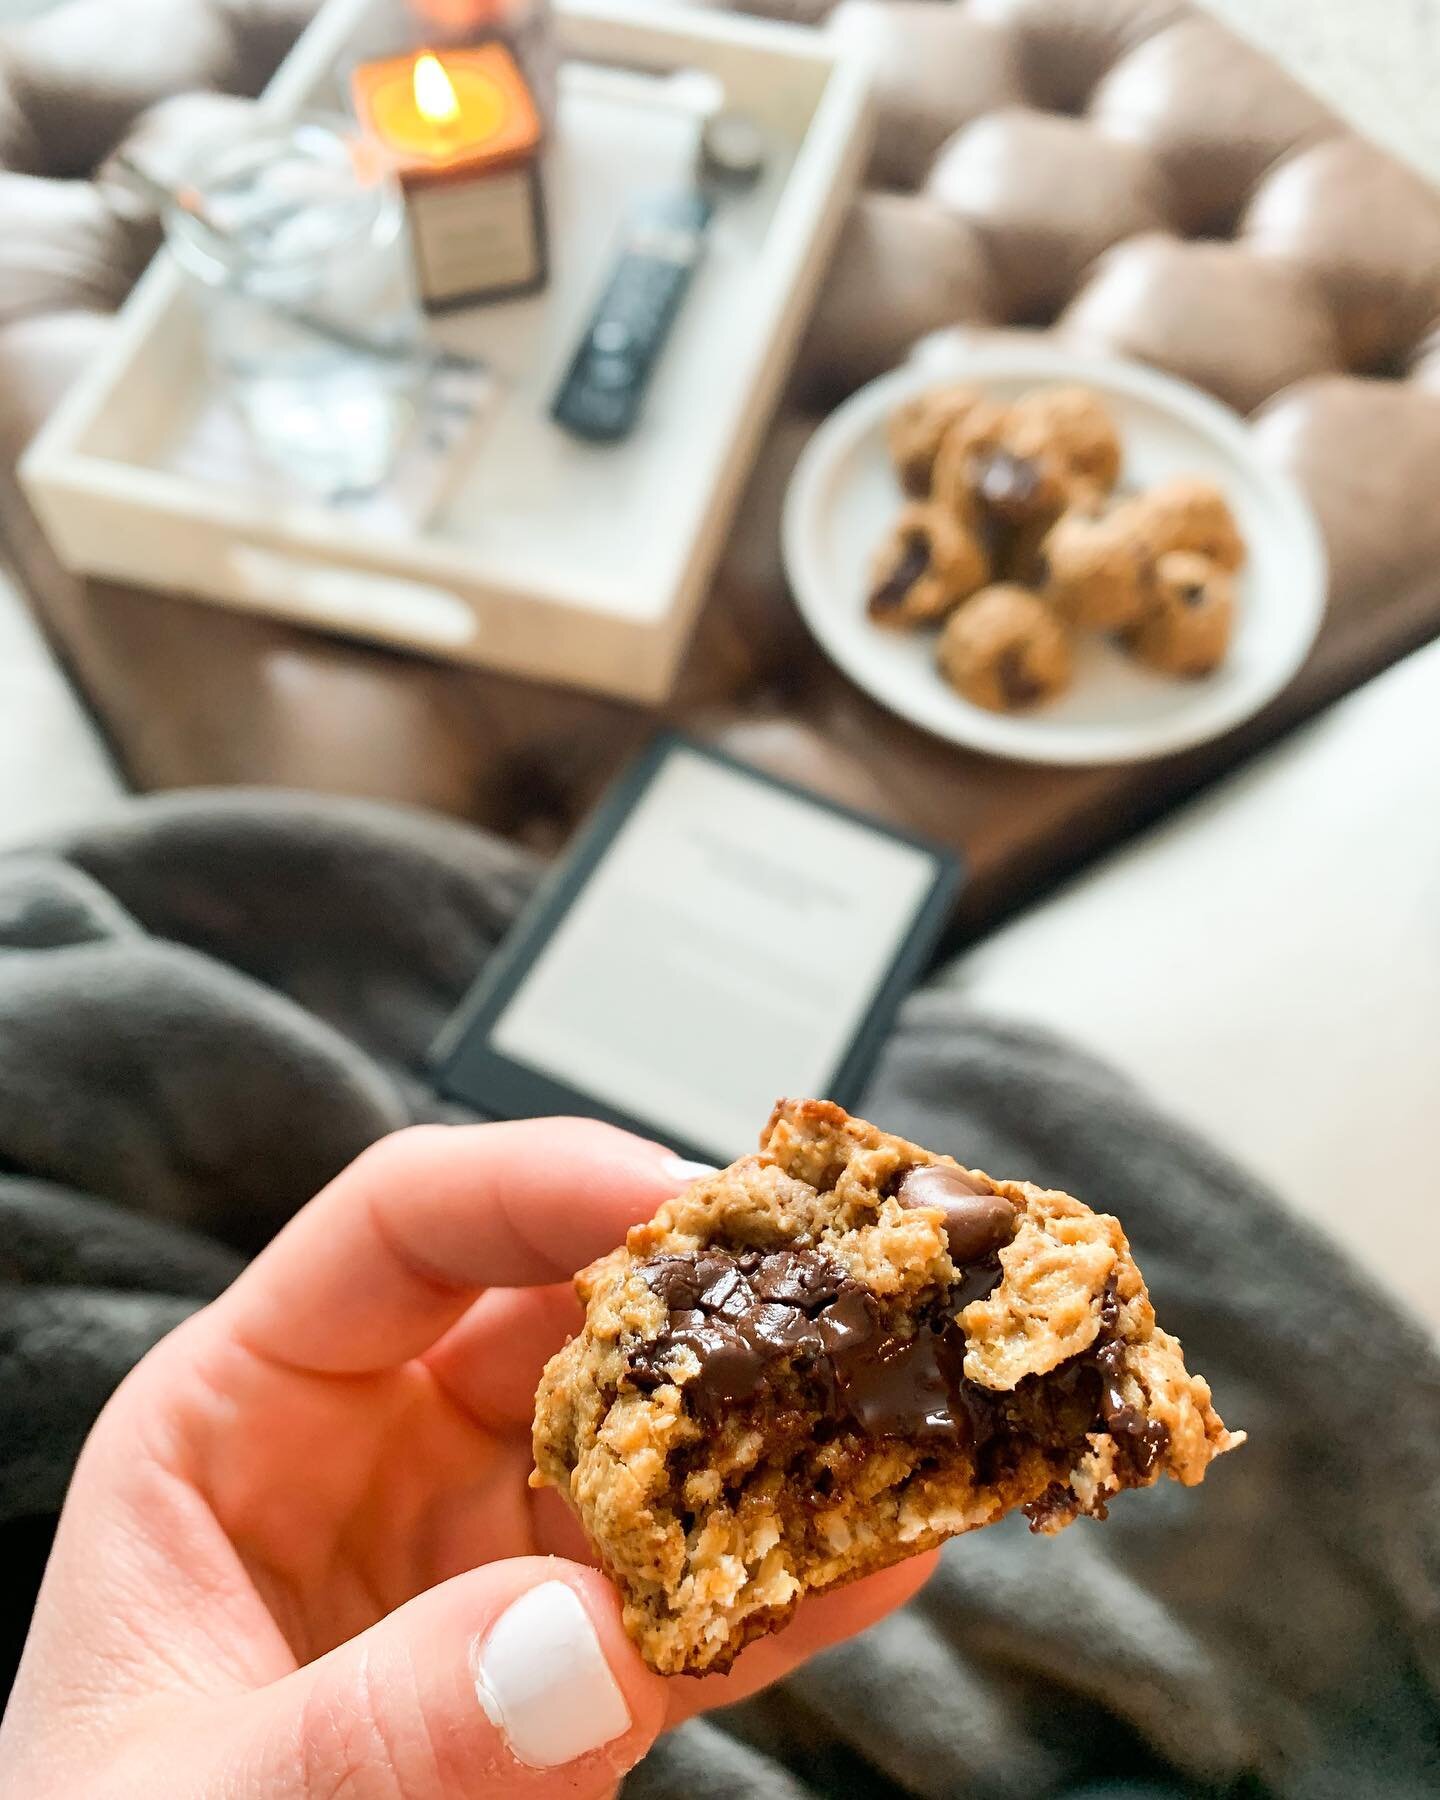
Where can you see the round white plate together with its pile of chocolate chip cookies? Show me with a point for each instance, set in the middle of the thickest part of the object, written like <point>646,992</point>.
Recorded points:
<point>1052,557</point>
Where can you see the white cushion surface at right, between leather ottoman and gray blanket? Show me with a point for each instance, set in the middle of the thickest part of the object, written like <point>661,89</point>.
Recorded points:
<point>1268,966</point>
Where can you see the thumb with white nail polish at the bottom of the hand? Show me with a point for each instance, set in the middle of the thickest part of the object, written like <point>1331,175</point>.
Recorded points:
<point>512,1680</point>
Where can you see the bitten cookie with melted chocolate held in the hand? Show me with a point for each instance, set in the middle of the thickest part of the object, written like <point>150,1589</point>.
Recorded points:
<point>841,1353</point>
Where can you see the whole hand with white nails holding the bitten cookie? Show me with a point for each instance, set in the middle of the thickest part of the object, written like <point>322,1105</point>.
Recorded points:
<point>300,1558</point>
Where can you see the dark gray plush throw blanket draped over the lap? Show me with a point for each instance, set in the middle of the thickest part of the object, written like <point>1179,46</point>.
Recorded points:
<point>210,1003</point>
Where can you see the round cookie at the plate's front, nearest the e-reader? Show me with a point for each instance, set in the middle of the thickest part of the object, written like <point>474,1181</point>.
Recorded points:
<point>1005,651</point>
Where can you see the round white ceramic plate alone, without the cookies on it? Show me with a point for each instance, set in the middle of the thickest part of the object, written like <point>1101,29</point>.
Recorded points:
<point>845,496</point>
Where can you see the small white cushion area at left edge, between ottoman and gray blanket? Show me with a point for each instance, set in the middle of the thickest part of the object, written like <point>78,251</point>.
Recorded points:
<point>53,766</point>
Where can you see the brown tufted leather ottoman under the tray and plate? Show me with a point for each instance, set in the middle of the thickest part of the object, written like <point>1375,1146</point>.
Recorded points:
<point>1120,172</point>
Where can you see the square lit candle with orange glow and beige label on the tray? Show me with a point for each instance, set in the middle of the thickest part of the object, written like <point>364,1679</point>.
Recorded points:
<point>463,134</point>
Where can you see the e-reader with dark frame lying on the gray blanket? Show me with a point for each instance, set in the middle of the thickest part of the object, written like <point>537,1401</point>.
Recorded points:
<point>717,940</point>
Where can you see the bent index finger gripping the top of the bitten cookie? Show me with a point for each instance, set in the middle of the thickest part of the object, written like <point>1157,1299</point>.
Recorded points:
<point>395,1250</point>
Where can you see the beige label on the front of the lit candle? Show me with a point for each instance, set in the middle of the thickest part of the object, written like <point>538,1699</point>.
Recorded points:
<point>476,237</point>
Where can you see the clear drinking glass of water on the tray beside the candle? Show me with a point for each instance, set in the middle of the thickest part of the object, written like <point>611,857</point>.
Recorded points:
<point>310,318</point>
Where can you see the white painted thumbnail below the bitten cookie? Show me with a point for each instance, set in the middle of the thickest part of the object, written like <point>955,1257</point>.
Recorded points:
<point>544,1682</point>
